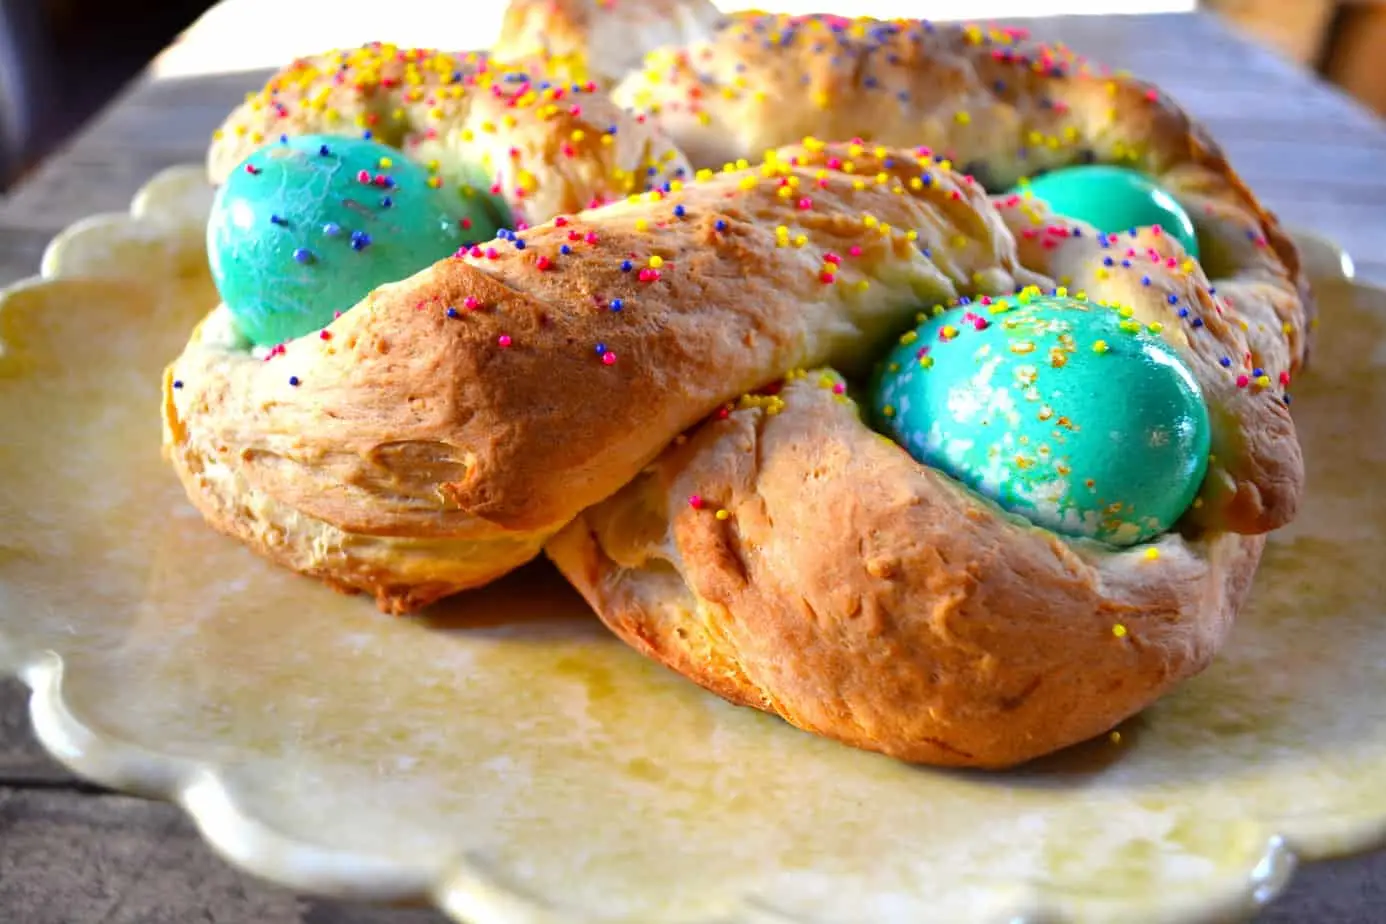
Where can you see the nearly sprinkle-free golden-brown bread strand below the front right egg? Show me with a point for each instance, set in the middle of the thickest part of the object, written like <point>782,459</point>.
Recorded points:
<point>828,578</point>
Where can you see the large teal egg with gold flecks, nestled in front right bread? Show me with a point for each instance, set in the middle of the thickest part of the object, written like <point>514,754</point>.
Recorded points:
<point>1057,409</point>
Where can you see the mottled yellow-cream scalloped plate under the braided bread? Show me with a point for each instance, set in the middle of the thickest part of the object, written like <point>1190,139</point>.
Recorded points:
<point>511,761</point>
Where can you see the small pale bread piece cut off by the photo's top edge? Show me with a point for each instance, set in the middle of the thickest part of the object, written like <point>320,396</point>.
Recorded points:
<point>599,39</point>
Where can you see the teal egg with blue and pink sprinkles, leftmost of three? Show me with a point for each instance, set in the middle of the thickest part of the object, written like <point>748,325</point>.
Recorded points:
<point>308,226</point>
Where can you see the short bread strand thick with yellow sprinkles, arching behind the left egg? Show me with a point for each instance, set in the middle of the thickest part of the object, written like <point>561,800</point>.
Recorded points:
<point>543,148</point>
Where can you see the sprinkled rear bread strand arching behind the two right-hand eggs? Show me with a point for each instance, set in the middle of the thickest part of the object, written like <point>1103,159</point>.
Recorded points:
<point>1003,109</point>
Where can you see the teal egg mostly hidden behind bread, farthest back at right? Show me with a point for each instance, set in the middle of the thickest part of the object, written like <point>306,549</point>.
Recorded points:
<point>1114,200</point>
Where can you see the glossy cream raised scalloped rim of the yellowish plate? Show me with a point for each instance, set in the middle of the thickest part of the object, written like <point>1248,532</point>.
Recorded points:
<point>459,887</point>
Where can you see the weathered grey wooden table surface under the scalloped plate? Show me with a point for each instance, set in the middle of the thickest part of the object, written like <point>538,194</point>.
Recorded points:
<point>76,854</point>
